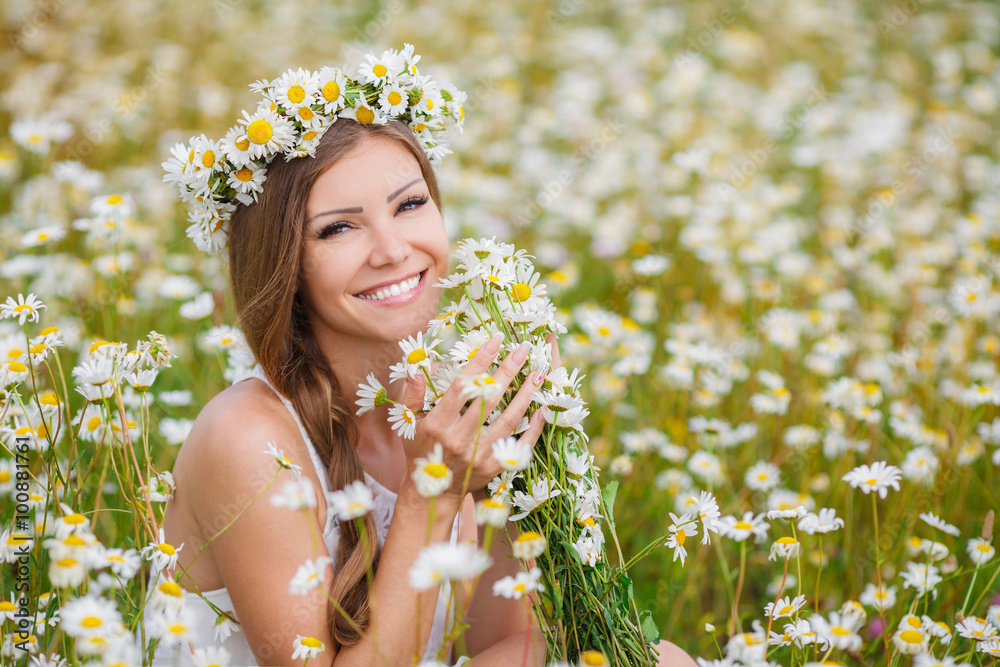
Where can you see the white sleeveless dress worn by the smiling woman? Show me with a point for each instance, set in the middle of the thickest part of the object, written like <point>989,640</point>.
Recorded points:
<point>204,617</point>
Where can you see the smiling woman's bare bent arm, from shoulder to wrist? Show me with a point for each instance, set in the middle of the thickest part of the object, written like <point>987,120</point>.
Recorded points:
<point>260,553</point>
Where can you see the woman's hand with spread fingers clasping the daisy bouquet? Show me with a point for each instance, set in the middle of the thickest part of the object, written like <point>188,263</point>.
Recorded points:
<point>446,424</point>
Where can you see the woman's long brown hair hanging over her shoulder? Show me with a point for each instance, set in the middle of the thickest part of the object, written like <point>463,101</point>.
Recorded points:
<point>265,243</point>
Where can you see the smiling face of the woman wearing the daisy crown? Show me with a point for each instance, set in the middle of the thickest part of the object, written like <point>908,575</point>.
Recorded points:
<point>374,246</point>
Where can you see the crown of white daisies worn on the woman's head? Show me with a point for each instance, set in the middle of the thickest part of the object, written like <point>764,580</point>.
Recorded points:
<point>214,176</point>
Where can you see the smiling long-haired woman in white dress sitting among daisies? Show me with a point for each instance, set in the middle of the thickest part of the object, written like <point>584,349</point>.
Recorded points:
<point>334,264</point>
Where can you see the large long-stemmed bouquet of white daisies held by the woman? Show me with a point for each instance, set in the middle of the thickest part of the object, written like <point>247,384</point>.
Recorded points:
<point>583,603</point>
